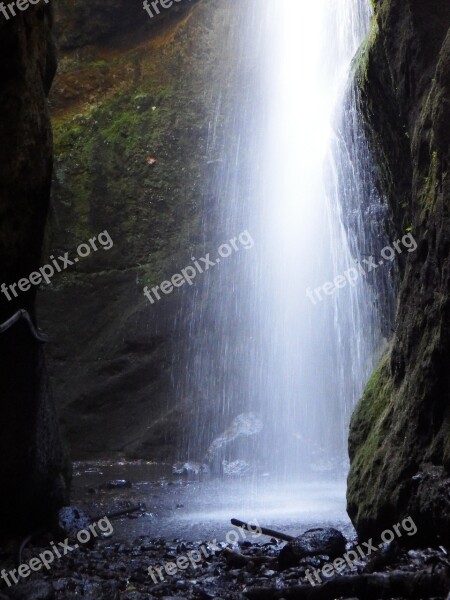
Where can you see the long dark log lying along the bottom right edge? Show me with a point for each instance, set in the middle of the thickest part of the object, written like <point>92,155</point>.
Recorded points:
<point>396,584</point>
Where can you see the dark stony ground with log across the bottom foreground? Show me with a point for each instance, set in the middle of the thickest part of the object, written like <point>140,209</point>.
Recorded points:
<point>112,570</point>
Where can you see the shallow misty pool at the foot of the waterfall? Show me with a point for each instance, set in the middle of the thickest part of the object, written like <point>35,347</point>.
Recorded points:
<point>200,508</point>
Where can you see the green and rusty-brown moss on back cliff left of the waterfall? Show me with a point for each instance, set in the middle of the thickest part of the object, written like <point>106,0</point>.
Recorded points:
<point>151,109</point>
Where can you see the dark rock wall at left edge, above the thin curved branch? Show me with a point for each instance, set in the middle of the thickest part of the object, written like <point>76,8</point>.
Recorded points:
<point>26,151</point>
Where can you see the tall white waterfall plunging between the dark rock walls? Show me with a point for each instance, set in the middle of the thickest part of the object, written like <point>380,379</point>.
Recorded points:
<point>276,361</point>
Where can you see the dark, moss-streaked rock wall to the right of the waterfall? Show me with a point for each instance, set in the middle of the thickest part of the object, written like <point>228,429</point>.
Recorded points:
<point>400,432</point>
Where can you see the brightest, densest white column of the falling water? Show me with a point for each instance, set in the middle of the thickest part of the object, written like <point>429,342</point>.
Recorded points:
<point>321,338</point>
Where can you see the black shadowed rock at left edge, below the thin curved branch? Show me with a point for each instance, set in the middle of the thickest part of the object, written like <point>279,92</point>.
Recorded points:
<point>33,468</point>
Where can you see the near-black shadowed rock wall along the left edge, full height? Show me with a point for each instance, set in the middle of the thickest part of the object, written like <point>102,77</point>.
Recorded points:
<point>32,462</point>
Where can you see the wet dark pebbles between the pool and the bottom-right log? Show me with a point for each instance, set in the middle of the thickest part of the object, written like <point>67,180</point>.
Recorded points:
<point>113,571</point>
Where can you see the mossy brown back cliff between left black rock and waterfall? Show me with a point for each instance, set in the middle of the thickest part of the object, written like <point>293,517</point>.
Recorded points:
<point>131,157</point>
